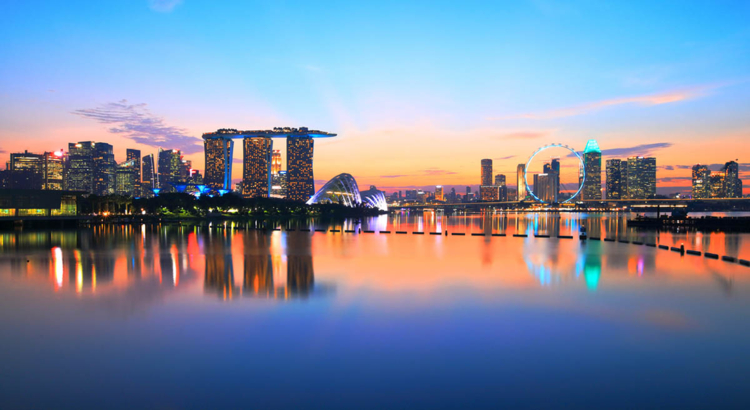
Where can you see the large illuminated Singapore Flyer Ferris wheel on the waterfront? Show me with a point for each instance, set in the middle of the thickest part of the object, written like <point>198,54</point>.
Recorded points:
<point>543,187</point>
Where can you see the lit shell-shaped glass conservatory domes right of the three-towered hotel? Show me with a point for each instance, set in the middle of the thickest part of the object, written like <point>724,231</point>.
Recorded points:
<point>343,189</point>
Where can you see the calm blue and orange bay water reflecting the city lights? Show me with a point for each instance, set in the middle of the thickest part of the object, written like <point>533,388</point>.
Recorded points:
<point>225,317</point>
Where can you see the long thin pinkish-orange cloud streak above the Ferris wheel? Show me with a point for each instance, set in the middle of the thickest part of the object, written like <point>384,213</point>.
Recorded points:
<point>646,100</point>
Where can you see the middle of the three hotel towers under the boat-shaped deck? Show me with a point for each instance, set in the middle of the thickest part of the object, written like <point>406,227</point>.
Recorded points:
<point>256,167</point>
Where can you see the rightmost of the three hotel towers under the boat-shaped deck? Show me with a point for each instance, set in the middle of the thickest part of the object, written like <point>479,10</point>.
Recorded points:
<point>299,168</point>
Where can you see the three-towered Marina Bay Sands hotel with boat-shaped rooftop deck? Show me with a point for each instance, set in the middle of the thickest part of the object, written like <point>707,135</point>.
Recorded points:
<point>257,146</point>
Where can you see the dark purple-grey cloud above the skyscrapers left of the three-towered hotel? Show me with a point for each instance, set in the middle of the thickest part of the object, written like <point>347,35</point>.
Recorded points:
<point>136,122</point>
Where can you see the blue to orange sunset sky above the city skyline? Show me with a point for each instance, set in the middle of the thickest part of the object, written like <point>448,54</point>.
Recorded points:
<point>418,92</point>
